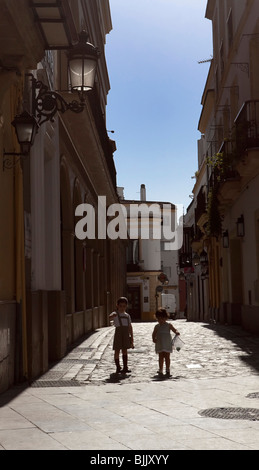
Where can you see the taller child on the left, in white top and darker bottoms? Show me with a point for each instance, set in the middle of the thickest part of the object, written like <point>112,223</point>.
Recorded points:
<point>123,336</point>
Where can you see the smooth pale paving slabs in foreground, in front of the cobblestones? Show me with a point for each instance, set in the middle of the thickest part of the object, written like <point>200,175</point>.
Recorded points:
<point>161,416</point>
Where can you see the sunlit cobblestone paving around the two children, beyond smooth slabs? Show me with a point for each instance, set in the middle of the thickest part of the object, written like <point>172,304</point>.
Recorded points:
<point>210,350</point>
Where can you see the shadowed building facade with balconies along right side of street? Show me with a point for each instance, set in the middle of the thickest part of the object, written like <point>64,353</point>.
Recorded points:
<point>225,222</point>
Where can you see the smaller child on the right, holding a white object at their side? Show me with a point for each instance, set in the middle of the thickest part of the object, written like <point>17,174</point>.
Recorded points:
<point>162,338</point>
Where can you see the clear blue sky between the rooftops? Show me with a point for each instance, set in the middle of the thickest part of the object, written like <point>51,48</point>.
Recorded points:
<point>154,103</point>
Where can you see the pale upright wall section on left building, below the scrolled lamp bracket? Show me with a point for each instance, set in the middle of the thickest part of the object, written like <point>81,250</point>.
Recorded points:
<point>45,210</point>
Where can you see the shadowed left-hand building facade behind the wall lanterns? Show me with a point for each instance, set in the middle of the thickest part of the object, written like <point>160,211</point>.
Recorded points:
<point>54,286</point>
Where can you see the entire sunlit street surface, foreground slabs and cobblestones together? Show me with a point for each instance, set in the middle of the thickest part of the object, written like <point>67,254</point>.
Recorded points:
<point>85,406</point>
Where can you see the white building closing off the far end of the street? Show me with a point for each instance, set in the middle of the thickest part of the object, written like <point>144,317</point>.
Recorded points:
<point>152,255</point>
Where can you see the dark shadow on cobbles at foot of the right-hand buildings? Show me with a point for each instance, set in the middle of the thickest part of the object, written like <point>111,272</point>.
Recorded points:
<point>244,340</point>
